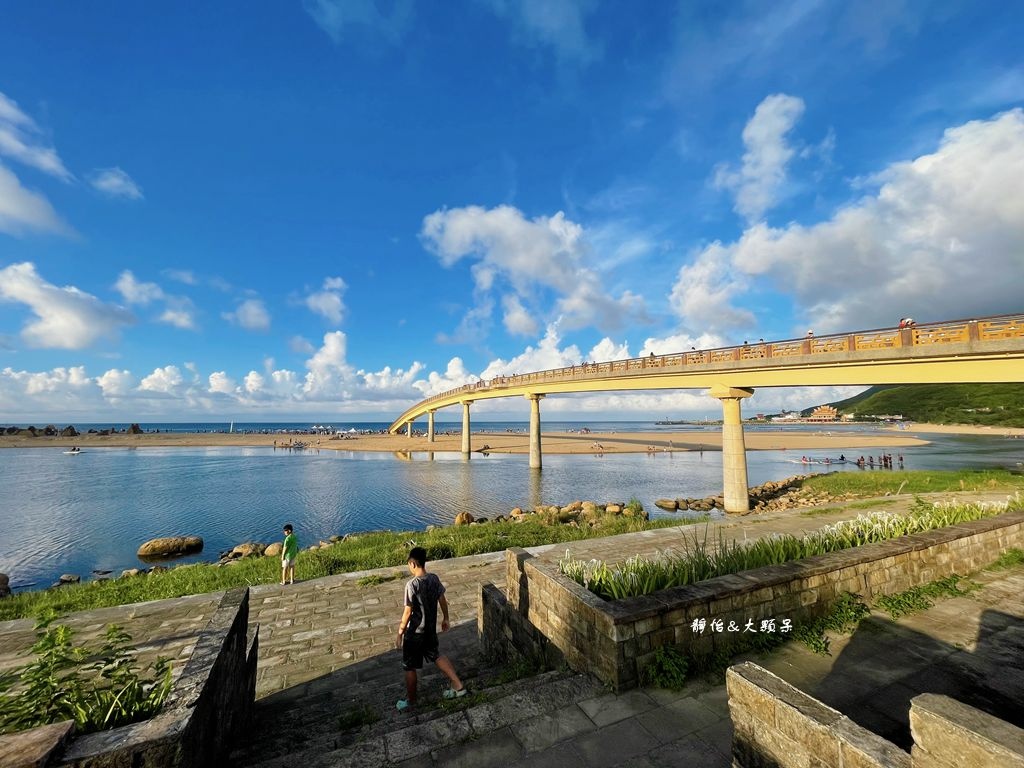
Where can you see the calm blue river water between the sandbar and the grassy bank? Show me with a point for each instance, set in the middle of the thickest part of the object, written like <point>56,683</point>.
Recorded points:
<point>76,515</point>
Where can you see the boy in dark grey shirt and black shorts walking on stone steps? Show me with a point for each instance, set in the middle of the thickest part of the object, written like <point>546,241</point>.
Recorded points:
<point>418,629</point>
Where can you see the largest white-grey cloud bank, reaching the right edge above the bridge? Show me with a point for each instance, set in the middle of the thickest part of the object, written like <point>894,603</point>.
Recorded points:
<point>942,238</point>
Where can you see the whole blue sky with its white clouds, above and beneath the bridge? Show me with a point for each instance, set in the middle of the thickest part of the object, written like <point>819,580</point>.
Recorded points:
<point>330,209</point>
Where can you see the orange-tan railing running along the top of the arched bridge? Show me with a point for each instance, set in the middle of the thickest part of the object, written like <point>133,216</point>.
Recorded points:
<point>987,330</point>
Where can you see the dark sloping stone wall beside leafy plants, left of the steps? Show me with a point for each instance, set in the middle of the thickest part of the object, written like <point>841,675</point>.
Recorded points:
<point>210,704</point>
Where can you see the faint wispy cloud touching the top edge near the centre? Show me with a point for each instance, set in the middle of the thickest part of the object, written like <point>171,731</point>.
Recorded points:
<point>560,26</point>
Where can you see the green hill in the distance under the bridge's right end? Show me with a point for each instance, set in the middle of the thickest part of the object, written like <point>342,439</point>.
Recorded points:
<point>990,405</point>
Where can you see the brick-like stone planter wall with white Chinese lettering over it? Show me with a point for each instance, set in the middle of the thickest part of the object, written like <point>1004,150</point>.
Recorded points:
<point>616,641</point>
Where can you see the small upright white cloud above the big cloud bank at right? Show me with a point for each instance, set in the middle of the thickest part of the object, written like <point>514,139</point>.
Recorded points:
<point>758,182</point>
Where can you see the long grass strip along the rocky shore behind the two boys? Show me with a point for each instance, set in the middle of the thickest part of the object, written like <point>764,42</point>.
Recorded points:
<point>361,552</point>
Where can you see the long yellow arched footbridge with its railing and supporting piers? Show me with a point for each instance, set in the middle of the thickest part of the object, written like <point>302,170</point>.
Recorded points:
<point>990,350</point>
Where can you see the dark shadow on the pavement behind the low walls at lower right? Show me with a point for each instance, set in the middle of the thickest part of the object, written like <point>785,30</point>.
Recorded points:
<point>885,665</point>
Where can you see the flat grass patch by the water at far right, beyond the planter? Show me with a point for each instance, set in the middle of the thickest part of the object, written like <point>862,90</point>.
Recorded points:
<point>915,482</point>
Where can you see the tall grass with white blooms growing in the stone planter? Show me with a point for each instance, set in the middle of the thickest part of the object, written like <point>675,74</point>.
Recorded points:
<point>701,561</point>
